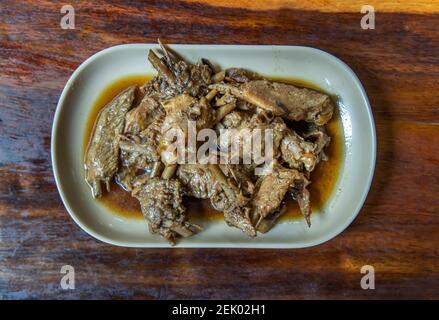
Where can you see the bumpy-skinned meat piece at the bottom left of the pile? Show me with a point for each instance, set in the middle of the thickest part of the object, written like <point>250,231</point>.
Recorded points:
<point>161,204</point>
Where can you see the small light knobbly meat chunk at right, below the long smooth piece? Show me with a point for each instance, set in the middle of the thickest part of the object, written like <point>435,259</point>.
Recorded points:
<point>298,153</point>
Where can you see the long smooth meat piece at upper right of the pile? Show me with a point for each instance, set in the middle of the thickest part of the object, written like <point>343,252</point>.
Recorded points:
<point>284,100</point>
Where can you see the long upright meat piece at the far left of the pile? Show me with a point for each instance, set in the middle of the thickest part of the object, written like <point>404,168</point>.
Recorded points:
<point>101,159</point>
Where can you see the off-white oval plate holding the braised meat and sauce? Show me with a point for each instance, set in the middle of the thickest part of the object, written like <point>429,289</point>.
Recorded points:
<point>316,66</point>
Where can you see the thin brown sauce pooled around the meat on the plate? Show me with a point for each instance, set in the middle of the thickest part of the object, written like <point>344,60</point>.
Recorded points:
<point>323,178</point>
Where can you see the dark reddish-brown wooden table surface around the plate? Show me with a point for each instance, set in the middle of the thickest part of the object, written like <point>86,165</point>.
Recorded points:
<point>397,231</point>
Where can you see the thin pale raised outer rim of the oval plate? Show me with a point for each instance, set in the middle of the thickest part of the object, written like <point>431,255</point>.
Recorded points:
<point>335,232</point>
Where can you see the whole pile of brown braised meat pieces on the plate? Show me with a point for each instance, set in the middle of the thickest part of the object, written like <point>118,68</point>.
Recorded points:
<point>136,142</point>
